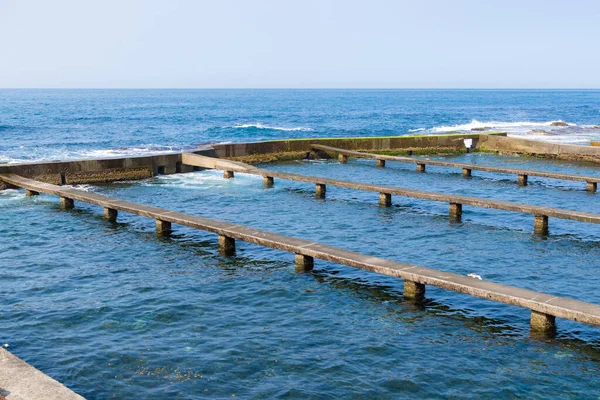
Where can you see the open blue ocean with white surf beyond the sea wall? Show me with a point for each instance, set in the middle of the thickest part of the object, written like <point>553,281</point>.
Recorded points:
<point>40,125</point>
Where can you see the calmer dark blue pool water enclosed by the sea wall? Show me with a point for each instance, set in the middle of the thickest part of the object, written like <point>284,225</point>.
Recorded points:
<point>113,311</point>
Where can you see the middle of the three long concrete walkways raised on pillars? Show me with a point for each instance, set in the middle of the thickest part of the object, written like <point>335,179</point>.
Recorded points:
<point>446,198</point>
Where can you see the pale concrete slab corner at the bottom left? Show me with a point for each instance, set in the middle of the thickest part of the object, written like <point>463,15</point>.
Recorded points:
<point>21,381</point>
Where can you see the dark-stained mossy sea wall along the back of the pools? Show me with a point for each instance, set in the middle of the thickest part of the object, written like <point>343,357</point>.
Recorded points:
<point>135,168</point>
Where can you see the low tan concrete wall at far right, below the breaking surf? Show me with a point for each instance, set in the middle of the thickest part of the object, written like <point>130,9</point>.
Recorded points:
<point>535,147</point>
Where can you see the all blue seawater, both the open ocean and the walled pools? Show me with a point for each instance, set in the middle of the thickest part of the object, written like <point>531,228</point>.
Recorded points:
<point>113,311</point>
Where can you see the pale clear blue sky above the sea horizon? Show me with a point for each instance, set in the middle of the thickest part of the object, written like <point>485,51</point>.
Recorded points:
<point>300,43</point>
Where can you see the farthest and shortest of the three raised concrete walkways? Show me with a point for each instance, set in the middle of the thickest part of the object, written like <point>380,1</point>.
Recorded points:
<point>466,168</point>
